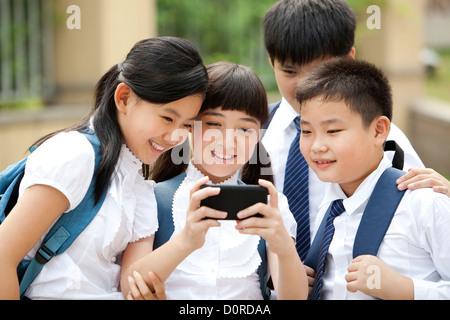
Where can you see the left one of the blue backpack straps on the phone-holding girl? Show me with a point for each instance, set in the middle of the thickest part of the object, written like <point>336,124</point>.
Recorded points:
<point>164,192</point>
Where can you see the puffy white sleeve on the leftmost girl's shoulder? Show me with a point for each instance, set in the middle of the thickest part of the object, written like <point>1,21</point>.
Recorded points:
<point>65,162</point>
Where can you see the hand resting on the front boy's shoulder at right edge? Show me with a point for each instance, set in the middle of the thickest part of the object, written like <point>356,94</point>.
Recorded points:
<point>417,178</point>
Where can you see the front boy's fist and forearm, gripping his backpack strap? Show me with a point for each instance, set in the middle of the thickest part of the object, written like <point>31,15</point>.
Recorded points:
<point>372,276</point>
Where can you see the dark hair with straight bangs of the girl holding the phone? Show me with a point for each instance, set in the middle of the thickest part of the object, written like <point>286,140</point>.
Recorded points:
<point>231,87</point>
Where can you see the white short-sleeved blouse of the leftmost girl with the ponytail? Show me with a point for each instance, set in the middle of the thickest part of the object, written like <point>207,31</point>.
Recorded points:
<point>90,267</point>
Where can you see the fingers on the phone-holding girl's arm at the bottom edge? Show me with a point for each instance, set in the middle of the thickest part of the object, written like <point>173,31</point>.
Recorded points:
<point>139,290</point>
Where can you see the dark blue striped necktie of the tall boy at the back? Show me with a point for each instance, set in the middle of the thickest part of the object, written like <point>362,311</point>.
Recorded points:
<point>296,190</point>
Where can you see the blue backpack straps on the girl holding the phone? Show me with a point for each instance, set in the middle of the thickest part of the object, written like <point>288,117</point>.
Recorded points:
<point>164,192</point>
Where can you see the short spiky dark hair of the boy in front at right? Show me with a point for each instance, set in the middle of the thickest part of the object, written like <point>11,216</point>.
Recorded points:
<point>363,87</point>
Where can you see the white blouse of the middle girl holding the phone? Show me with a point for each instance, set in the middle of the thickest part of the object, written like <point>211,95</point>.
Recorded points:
<point>226,266</point>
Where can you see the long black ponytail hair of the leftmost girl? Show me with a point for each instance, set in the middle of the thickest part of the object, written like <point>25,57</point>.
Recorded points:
<point>158,70</point>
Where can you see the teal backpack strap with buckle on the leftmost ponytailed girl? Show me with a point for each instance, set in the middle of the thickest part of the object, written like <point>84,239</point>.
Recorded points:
<point>67,228</point>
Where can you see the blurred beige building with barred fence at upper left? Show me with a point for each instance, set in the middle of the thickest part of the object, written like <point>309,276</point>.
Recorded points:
<point>53,52</point>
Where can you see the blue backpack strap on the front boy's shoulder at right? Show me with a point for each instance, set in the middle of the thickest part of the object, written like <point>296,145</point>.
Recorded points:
<point>378,214</point>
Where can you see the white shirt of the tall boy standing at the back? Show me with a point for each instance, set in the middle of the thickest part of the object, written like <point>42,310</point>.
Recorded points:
<point>281,132</point>
